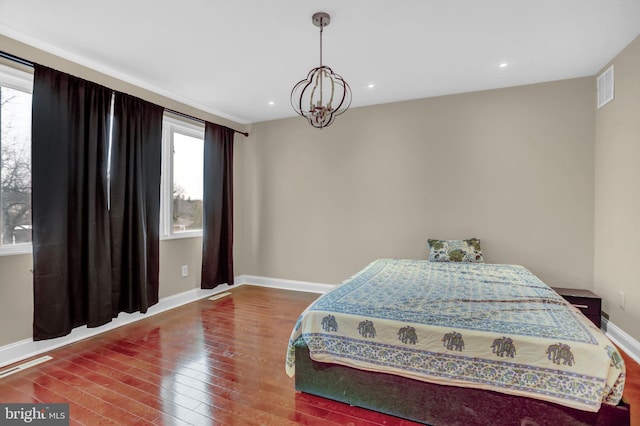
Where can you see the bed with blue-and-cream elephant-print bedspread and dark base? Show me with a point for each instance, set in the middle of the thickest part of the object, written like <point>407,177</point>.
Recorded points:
<point>457,342</point>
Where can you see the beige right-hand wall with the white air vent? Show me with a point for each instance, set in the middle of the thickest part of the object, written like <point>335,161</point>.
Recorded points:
<point>617,197</point>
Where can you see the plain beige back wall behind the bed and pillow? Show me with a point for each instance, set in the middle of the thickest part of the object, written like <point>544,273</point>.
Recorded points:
<point>513,167</point>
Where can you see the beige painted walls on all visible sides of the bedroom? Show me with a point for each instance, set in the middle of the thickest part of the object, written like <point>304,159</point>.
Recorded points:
<point>514,167</point>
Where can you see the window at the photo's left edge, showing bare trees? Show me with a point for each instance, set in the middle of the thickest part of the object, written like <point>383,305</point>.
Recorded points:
<point>15,160</point>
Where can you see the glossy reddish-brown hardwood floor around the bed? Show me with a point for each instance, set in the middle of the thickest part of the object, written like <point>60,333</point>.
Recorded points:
<point>209,362</point>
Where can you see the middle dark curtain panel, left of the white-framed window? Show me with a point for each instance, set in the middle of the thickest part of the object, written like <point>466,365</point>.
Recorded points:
<point>135,203</point>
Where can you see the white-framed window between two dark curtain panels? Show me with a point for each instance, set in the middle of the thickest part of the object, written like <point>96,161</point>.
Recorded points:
<point>182,178</point>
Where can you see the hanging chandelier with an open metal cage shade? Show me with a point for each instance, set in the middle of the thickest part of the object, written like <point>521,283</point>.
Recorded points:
<point>323,95</point>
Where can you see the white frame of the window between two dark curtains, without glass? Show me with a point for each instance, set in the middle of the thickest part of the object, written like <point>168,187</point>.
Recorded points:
<point>174,124</point>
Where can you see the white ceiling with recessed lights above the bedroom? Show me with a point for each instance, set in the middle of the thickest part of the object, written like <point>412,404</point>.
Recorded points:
<point>231,58</point>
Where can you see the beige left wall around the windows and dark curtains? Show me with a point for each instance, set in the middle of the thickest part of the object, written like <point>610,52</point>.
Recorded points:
<point>16,286</point>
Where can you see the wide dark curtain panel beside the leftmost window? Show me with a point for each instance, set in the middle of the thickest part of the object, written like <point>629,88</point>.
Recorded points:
<point>72,272</point>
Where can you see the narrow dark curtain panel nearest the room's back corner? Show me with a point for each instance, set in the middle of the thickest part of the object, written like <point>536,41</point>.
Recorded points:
<point>217,238</point>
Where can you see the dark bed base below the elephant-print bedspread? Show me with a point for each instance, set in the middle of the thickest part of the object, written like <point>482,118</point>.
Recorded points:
<point>439,404</point>
